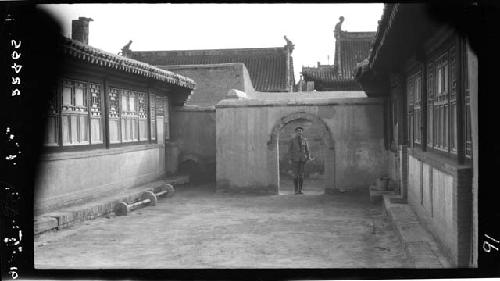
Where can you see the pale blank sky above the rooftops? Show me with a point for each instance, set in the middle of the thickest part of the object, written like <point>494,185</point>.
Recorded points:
<point>220,26</point>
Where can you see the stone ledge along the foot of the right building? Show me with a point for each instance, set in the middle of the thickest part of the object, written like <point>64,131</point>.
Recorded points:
<point>417,242</point>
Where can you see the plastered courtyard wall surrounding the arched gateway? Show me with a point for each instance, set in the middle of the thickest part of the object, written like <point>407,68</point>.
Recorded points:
<point>246,140</point>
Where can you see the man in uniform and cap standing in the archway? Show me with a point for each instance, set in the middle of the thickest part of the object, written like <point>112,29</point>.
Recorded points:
<point>298,151</point>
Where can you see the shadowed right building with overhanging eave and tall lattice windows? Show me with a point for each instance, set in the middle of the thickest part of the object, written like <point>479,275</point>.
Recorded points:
<point>428,88</point>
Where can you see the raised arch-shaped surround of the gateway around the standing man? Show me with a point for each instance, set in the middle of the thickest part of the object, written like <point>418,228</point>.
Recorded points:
<point>273,147</point>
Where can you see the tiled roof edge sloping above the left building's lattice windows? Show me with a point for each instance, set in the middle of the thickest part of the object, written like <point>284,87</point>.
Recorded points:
<point>96,56</point>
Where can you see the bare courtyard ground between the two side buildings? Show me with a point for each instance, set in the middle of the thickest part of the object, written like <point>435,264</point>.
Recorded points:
<point>198,228</point>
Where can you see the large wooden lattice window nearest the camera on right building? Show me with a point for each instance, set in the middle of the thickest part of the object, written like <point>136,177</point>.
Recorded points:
<point>448,112</point>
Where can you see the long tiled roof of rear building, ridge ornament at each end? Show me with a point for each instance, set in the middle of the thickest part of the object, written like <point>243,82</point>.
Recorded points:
<point>267,66</point>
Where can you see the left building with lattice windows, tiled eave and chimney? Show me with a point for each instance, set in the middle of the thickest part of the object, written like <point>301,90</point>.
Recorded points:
<point>108,121</point>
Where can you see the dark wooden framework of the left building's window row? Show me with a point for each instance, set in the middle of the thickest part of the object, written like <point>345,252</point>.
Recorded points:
<point>102,108</point>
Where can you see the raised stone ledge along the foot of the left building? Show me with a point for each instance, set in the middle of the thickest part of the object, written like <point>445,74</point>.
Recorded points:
<point>66,217</point>
